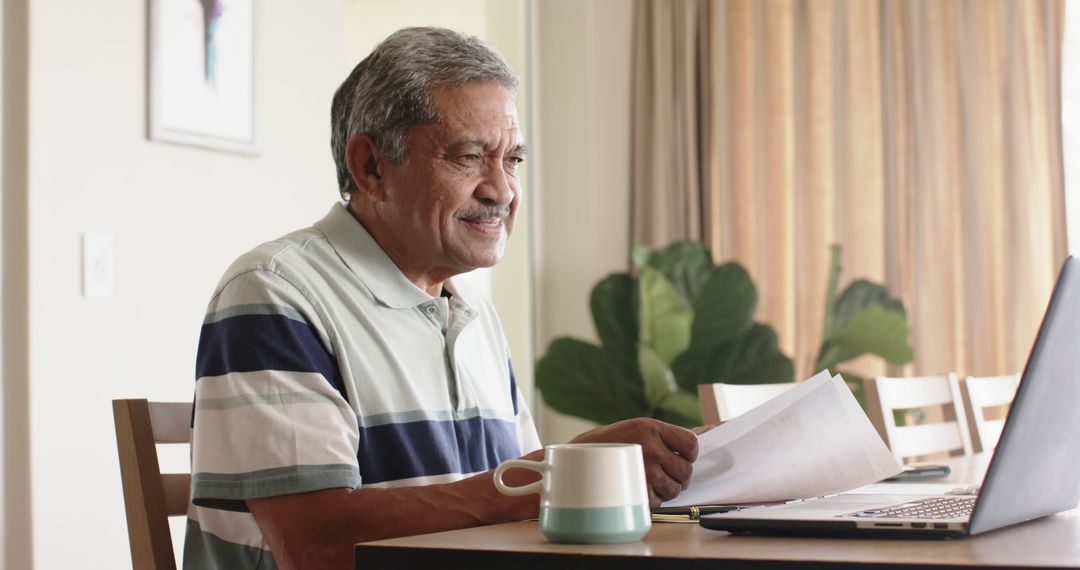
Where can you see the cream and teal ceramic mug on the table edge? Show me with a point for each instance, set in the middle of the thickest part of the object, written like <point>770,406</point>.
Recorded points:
<point>589,493</point>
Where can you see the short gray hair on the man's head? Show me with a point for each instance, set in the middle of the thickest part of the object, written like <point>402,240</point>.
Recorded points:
<point>389,93</point>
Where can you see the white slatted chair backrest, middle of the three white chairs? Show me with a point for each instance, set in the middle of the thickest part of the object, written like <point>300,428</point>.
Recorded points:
<point>886,396</point>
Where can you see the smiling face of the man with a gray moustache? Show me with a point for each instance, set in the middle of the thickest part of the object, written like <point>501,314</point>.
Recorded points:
<point>451,205</point>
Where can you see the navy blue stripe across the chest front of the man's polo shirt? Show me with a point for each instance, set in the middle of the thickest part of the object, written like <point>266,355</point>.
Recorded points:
<point>425,449</point>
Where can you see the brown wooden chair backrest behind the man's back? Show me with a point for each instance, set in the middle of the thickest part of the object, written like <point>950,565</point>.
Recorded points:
<point>151,497</point>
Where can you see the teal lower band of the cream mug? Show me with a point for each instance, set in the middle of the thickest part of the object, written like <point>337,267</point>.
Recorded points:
<point>596,526</point>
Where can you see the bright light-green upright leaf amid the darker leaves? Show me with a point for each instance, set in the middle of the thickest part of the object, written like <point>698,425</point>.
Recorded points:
<point>664,317</point>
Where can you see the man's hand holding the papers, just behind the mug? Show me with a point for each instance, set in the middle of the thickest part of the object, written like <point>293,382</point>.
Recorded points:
<point>669,452</point>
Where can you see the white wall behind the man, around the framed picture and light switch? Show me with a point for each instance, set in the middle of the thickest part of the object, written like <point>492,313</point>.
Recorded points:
<point>178,216</point>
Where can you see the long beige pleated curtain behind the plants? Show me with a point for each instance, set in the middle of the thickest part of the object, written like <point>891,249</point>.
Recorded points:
<point>921,135</point>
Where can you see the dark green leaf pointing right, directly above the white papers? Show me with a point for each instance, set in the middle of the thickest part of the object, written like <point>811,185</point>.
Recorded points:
<point>752,359</point>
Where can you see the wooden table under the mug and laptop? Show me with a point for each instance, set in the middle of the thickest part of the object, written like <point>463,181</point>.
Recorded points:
<point>1051,542</point>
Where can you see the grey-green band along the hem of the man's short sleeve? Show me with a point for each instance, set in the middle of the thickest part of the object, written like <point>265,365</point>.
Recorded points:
<point>273,482</point>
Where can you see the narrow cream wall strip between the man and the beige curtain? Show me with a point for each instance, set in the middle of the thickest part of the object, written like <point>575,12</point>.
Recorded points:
<point>585,80</point>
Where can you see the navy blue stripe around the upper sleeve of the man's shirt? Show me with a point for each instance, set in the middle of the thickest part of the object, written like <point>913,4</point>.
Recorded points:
<point>247,344</point>
